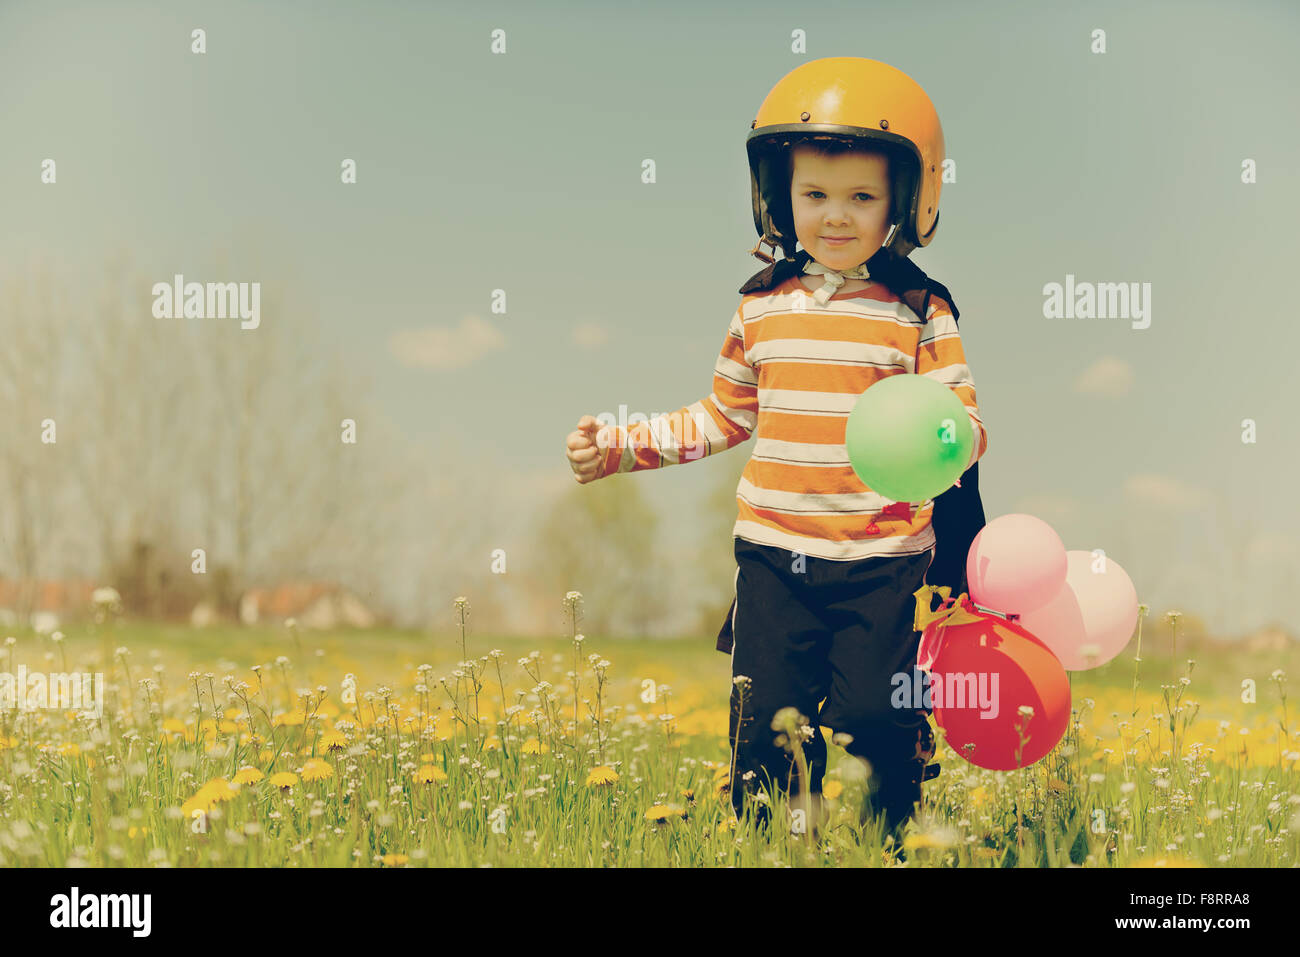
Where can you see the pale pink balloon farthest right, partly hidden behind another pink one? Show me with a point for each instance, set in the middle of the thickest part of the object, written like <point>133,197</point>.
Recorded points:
<point>1093,618</point>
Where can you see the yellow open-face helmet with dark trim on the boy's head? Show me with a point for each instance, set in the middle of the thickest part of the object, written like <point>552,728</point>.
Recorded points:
<point>853,99</point>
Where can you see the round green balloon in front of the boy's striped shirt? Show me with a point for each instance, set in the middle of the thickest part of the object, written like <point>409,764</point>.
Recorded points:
<point>909,438</point>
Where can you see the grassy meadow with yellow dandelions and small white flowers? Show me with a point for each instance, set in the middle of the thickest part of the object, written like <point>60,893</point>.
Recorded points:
<point>253,748</point>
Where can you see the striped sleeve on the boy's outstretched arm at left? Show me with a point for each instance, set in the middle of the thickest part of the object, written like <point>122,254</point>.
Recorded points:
<point>721,421</point>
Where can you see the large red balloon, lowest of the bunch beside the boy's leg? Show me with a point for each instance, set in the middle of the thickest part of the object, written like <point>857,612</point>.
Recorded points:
<point>983,673</point>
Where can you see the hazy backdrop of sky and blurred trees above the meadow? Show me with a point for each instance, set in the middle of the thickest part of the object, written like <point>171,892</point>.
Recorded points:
<point>500,269</point>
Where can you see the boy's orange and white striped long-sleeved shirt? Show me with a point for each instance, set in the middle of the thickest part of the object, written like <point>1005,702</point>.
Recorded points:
<point>791,371</point>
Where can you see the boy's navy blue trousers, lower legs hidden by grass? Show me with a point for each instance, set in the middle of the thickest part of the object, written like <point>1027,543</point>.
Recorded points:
<point>834,631</point>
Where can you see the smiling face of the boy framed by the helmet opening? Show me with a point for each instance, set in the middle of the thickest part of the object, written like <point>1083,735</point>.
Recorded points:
<point>846,196</point>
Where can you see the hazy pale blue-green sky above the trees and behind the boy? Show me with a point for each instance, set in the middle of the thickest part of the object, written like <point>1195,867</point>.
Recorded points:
<point>521,171</point>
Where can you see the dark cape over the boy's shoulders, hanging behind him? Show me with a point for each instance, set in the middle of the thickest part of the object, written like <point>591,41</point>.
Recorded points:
<point>959,514</point>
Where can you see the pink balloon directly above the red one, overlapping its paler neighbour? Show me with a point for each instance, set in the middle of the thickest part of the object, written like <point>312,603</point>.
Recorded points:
<point>1016,565</point>
